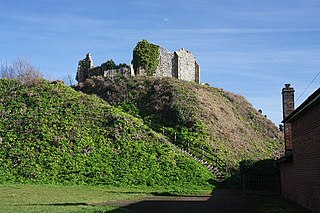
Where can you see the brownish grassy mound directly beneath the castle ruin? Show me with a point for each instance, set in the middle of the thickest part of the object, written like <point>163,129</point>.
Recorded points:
<point>221,121</point>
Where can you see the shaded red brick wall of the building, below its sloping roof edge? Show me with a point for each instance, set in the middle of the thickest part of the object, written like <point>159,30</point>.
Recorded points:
<point>301,179</point>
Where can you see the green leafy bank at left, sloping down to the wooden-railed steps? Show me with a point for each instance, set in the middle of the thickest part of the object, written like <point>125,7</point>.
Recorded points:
<point>50,133</point>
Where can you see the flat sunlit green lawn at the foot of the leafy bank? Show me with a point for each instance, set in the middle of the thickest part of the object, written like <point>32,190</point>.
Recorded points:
<point>54,198</point>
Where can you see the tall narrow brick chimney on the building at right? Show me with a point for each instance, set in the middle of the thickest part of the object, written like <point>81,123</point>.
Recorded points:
<point>288,107</point>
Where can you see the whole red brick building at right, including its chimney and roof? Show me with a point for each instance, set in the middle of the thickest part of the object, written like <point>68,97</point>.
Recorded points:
<point>300,167</point>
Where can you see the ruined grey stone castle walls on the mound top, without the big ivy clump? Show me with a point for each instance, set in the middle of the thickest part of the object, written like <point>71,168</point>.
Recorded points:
<point>180,64</point>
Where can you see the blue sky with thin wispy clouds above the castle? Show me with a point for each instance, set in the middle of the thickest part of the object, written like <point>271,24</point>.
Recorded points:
<point>249,47</point>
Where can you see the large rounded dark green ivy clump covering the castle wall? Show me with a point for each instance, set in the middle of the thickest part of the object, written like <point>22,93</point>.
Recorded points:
<point>146,56</point>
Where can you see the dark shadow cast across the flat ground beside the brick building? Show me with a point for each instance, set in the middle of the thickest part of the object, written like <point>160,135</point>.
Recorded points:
<point>227,197</point>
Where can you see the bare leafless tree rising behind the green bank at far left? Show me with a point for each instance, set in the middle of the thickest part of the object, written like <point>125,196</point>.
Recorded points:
<point>20,69</point>
